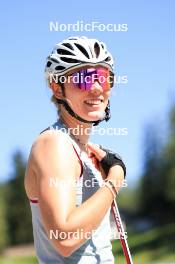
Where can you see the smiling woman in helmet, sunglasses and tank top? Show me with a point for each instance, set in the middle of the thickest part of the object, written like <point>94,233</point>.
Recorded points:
<point>71,183</point>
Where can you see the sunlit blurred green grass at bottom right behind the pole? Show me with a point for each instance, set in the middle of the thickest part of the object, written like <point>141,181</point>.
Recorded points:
<point>151,247</point>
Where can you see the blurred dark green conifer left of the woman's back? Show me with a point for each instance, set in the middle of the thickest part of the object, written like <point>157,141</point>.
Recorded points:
<point>18,215</point>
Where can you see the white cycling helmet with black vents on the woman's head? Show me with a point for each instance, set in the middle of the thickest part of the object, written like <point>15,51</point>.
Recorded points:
<point>74,52</point>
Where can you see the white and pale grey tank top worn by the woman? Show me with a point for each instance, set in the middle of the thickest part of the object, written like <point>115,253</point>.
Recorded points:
<point>98,248</point>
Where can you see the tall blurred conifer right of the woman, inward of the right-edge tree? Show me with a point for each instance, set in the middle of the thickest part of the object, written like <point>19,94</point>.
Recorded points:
<point>152,184</point>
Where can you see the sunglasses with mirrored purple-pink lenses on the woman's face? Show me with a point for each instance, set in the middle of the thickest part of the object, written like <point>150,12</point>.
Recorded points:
<point>85,78</point>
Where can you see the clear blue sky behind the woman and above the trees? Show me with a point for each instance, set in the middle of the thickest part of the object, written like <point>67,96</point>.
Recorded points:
<point>145,53</point>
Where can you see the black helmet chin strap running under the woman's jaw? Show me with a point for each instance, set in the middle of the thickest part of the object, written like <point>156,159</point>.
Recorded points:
<point>105,115</point>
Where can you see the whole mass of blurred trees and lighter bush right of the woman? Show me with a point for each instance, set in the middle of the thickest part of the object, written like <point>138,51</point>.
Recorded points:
<point>153,198</point>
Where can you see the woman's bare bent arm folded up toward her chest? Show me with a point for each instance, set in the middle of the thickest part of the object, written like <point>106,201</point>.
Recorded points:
<point>54,159</point>
